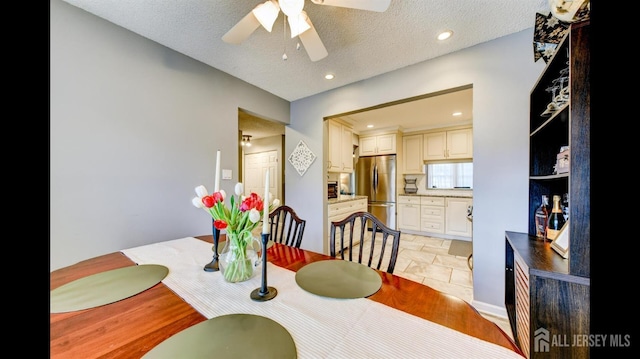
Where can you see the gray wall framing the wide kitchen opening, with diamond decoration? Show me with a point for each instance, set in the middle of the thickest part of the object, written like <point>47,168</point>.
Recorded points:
<point>502,73</point>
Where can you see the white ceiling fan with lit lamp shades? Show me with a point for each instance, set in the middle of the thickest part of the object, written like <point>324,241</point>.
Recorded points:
<point>265,14</point>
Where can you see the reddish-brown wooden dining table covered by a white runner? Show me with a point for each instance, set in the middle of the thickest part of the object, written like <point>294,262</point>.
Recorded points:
<point>134,326</point>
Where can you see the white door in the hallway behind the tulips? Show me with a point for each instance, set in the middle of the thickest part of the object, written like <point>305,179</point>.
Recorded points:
<point>255,167</point>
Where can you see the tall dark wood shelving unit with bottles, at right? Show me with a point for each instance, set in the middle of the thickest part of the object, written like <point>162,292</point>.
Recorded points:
<point>547,296</point>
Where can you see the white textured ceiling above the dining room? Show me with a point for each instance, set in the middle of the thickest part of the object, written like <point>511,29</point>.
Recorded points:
<point>361,44</point>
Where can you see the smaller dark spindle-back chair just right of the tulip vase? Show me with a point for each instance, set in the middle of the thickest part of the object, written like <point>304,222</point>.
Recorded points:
<point>286,227</point>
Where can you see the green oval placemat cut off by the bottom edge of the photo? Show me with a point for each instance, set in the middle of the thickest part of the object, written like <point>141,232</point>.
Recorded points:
<point>229,336</point>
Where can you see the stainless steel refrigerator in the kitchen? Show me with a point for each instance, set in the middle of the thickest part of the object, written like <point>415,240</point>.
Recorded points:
<point>375,177</point>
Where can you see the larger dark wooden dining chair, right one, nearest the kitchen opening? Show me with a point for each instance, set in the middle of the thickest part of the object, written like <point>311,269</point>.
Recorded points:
<point>372,238</point>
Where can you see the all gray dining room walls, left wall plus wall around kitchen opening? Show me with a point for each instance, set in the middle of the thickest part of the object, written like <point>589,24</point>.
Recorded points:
<point>135,127</point>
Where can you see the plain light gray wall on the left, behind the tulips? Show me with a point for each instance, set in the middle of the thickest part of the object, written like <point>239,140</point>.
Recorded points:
<point>134,129</point>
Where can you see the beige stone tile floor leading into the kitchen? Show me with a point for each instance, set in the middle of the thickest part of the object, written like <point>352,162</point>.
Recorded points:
<point>426,260</point>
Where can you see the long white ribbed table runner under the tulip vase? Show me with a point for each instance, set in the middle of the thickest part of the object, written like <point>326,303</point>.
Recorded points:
<point>321,327</point>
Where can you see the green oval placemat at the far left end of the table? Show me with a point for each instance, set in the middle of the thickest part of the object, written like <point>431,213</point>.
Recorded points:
<point>106,287</point>
